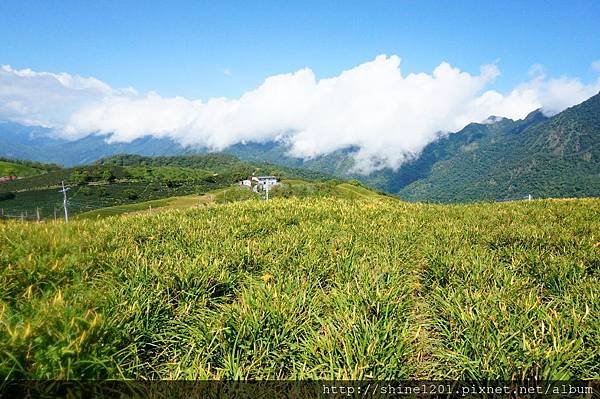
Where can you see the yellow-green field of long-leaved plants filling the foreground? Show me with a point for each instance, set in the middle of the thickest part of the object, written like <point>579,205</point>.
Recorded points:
<point>307,288</point>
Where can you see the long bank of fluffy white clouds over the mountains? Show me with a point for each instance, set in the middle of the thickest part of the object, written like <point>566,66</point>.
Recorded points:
<point>373,107</point>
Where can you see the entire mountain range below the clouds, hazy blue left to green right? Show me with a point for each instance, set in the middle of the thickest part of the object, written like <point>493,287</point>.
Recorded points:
<point>500,159</point>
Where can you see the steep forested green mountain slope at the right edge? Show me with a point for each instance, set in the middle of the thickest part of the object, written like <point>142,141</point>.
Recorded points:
<point>557,157</point>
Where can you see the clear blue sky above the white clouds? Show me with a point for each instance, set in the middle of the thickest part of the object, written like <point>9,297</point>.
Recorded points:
<point>185,48</point>
